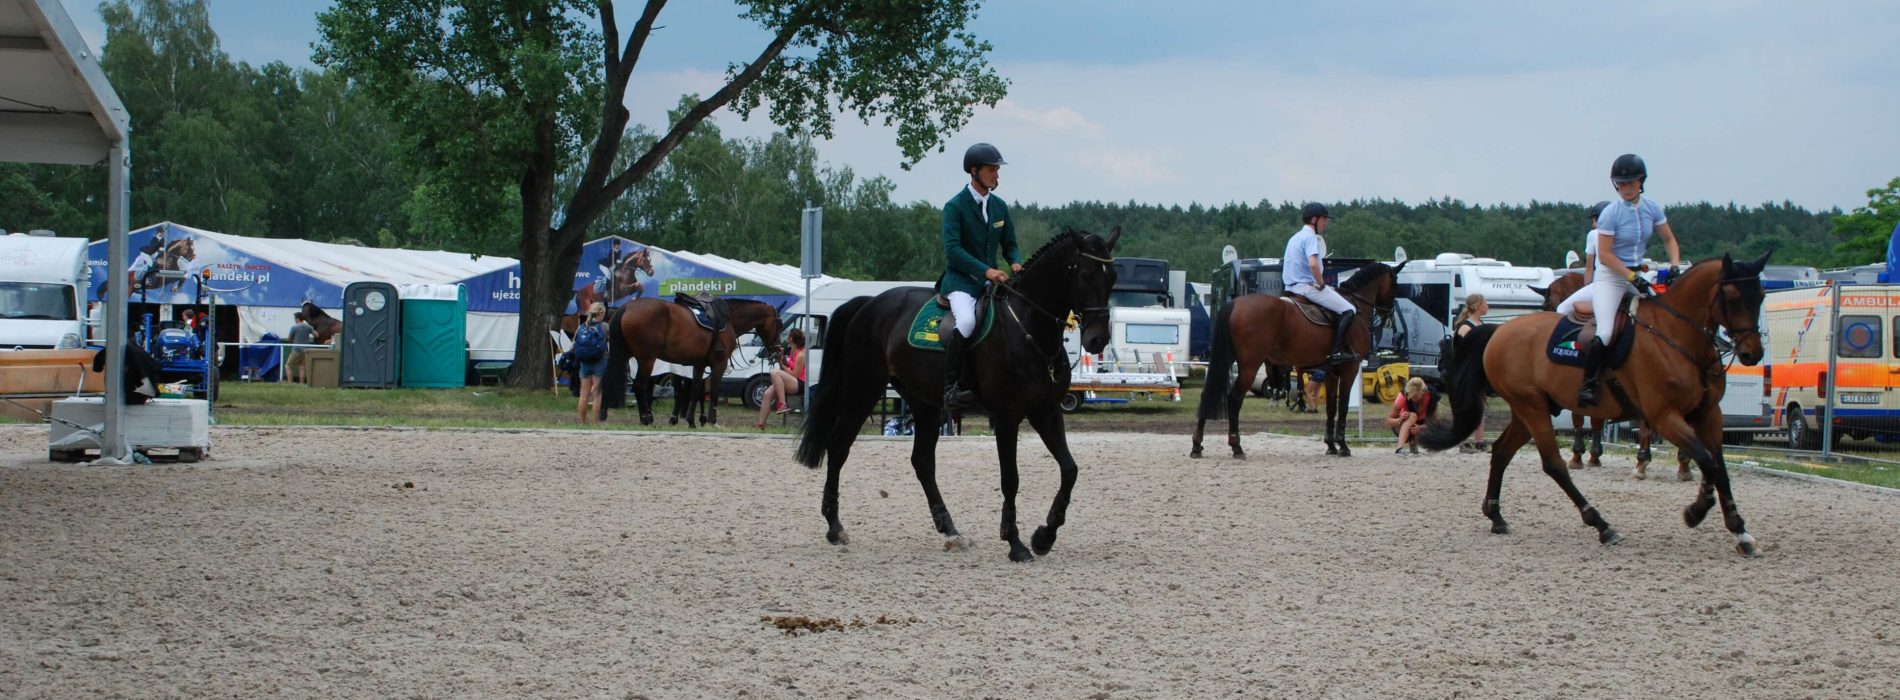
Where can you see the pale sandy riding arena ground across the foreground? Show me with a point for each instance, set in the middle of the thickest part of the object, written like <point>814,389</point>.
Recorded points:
<point>411,564</point>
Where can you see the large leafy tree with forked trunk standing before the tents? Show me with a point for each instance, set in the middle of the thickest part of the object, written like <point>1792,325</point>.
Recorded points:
<point>518,92</point>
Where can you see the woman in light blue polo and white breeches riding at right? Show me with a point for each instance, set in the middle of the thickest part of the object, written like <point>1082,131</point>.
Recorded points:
<point>1622,241</point>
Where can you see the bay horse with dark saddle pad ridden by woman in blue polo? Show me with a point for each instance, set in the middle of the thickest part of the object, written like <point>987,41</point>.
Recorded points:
<point>1673,379</point>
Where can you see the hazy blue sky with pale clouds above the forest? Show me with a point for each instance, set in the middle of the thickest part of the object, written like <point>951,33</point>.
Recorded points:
<point>1200,102</point>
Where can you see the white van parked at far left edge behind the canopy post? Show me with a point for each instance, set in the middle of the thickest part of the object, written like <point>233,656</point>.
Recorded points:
<point>43,284</point>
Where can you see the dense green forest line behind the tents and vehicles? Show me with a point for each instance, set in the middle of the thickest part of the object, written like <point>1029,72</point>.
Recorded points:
<point>295,153</point>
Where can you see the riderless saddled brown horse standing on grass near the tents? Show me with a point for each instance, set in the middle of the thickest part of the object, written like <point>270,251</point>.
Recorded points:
<point>660,330</point>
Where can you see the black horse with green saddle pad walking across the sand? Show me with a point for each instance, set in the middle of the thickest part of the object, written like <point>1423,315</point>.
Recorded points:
<point>1021,372</point>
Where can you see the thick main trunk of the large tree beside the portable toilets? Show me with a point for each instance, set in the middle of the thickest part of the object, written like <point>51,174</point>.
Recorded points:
<point>548,262</point>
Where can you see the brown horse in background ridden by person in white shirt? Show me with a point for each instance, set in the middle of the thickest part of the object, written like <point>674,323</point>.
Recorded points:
<point>1263,330</point>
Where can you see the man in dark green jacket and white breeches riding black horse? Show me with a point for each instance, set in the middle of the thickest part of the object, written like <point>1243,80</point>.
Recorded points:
<point>976,229</point>
